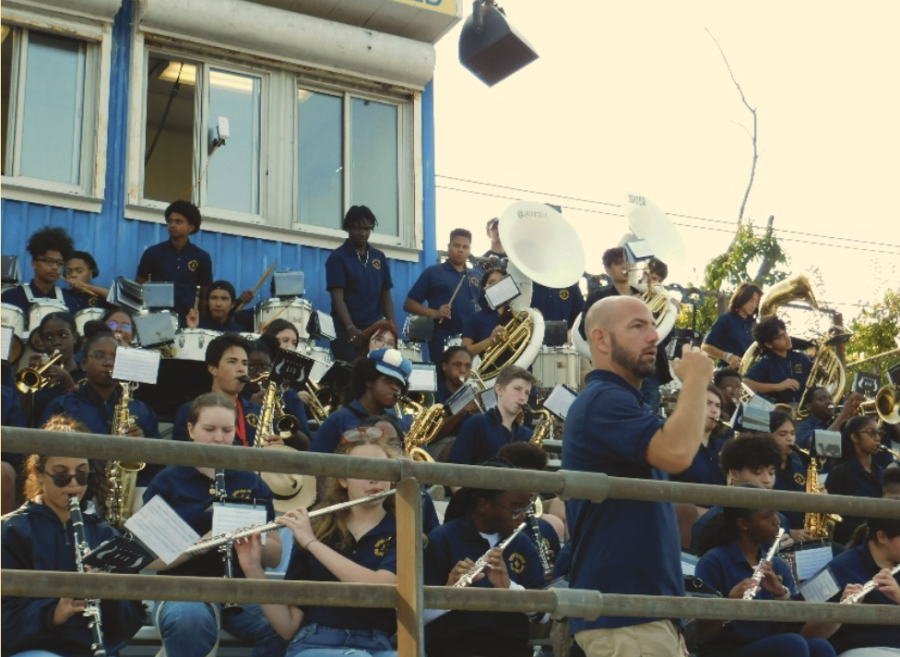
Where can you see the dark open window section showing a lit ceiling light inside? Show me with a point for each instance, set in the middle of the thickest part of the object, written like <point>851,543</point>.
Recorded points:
<point>169,130</point>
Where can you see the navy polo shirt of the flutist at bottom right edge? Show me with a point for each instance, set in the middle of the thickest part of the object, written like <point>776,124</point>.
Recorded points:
<point>856,566</point>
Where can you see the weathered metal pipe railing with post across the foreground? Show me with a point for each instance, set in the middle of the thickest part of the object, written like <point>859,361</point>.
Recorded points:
<point>410,597</point>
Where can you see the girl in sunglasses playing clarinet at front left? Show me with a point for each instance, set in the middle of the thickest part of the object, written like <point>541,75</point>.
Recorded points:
<point>39,536</point>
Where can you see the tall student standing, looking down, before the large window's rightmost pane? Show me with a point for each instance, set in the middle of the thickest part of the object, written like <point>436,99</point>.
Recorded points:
<point>359,279</point>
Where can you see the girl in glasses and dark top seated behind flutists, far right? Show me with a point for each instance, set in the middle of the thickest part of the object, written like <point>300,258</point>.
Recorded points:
<point>858,474</point>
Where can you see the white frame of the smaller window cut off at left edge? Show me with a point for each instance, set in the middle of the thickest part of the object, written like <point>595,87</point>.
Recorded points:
<point>97,34</point>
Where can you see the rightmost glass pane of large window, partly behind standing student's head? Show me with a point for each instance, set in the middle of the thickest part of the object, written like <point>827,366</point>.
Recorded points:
<point>373,161</point>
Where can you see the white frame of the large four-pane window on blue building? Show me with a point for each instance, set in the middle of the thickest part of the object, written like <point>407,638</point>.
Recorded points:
<point>278,134</point>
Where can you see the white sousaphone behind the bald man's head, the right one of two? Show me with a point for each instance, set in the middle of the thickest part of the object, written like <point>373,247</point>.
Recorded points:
<point>647,222</point>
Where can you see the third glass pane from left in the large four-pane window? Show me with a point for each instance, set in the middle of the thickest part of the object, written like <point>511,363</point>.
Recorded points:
<point>319,153</point>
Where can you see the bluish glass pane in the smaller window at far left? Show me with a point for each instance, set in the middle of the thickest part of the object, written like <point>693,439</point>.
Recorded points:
<point>54,107</point>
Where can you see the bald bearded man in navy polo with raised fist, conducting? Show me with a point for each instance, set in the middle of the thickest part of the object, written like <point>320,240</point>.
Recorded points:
<point>607,430</point>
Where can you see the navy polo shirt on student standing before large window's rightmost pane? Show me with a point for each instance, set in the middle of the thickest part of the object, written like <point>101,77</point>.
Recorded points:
<point>362,282</point>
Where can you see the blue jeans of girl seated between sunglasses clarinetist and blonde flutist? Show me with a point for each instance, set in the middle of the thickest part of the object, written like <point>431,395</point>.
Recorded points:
<point>191,629</point>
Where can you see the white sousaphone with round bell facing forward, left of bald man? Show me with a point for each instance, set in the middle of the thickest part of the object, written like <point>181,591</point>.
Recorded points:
<point>541,247</point>
